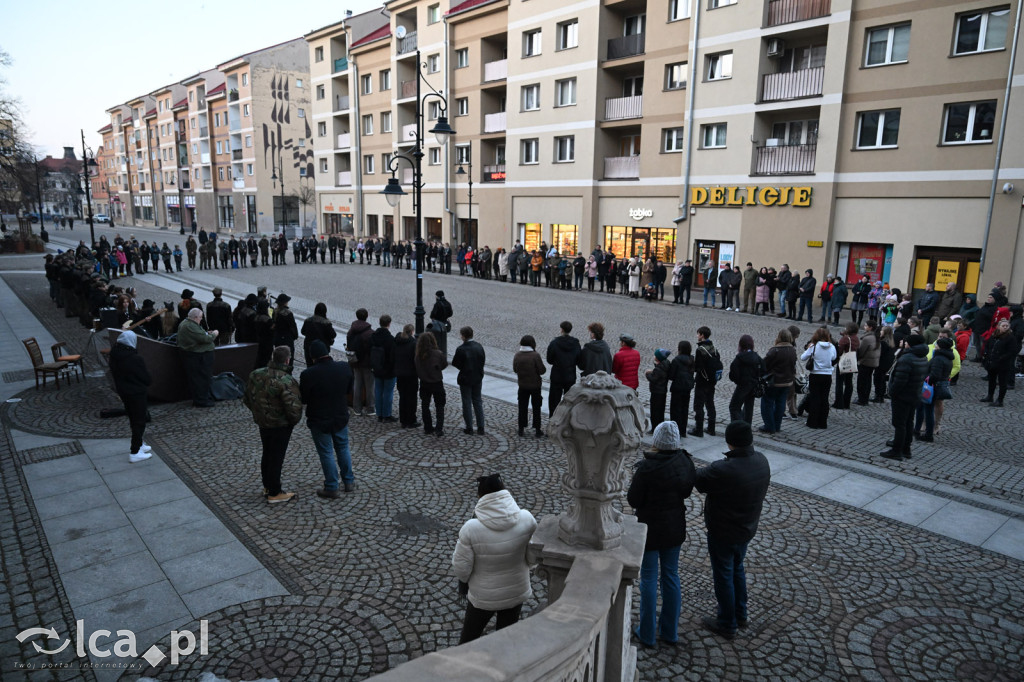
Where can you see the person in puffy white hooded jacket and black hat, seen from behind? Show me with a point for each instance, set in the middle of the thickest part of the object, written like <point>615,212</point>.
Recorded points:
<point>492,558</point>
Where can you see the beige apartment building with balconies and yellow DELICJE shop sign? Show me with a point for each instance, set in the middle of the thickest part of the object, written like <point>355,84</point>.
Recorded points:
<point>848,138</point>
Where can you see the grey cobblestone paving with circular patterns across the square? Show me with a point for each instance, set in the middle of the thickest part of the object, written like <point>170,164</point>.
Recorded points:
<point>836,593</point>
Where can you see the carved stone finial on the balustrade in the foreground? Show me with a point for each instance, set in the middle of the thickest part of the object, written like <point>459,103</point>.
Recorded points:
<point>600,423</point>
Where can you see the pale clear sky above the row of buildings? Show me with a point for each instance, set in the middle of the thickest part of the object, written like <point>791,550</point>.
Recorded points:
<point>72,61</point>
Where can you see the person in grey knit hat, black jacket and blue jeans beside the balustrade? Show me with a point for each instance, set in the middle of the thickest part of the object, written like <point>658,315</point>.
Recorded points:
<point>663,482</point>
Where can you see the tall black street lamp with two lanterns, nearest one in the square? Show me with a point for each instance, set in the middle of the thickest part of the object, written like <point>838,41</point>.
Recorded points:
<point>394,192</point>
